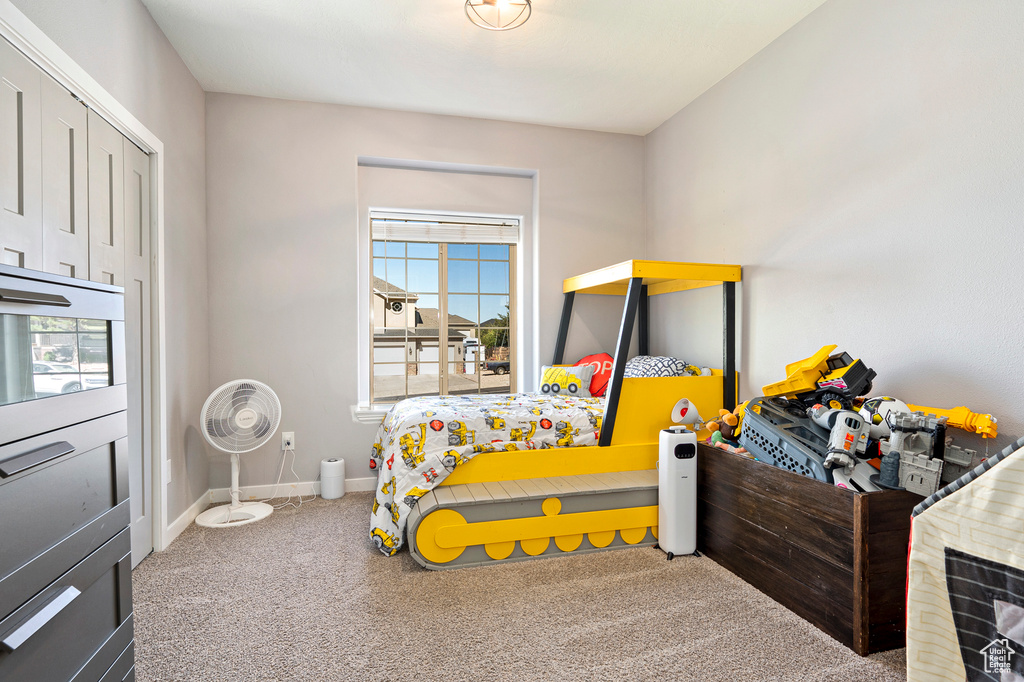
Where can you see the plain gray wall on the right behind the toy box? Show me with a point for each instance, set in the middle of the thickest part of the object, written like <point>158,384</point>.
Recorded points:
<point>868,172</point>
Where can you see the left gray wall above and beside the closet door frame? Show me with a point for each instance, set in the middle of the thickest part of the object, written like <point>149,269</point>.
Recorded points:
<point>120,46</point>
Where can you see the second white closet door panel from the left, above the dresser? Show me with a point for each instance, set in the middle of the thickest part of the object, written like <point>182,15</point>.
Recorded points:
<point>66,183</point>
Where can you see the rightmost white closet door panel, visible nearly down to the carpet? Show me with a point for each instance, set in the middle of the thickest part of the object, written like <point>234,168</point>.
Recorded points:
<point>138,342</point>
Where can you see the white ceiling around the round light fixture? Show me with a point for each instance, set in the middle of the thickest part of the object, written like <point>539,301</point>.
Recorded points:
<point>602,65</point>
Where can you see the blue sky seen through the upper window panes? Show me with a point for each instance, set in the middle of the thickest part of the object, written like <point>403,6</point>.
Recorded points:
<point>479,276</point>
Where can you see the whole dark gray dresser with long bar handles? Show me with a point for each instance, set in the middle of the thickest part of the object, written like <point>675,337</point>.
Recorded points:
<point>66,610</point>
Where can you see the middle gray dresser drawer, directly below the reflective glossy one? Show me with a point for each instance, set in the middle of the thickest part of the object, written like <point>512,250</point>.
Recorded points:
<point>58,510</point>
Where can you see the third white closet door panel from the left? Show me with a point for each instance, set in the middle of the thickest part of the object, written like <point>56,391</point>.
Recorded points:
<point>107,201</point>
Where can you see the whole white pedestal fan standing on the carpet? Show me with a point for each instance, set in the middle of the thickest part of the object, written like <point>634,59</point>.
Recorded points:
<point>238,418</point>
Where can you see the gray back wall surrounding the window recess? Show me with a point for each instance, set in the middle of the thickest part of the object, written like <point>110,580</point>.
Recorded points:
<point>284,234</point>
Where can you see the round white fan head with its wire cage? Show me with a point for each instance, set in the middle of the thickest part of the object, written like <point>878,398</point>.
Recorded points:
<point>222,416</point>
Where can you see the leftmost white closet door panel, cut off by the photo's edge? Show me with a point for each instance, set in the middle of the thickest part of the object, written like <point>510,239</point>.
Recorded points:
<point>21,178</point>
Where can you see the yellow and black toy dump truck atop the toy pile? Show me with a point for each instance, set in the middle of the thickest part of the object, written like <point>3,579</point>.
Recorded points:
<point>831,379</point>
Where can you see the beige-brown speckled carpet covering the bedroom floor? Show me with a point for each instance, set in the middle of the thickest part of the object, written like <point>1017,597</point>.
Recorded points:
<point>305,595</point>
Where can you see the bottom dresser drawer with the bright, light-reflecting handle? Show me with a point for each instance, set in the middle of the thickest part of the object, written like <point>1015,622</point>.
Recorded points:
<point>78,626</point>
